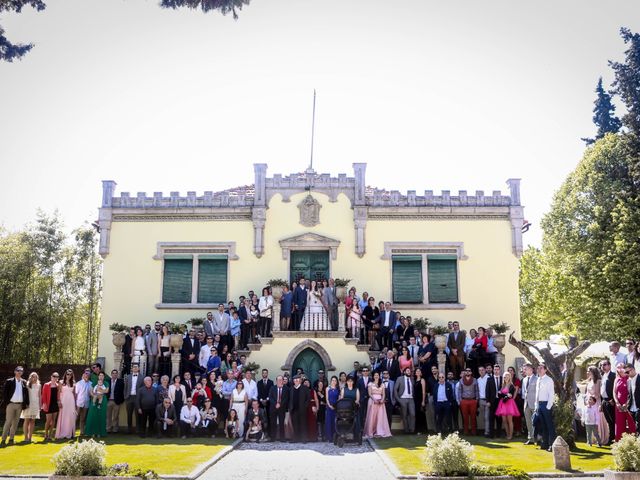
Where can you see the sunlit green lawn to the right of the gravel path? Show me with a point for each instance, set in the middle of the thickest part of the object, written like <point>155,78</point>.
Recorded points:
<point>407,452</point>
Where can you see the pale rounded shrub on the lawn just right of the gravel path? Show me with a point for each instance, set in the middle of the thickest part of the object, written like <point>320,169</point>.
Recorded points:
<point>449,456</point>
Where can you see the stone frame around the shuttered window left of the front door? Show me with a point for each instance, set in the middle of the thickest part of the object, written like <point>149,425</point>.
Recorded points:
<point>195,249</point>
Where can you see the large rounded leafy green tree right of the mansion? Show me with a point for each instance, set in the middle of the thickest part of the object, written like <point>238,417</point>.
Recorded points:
<point>589,267</point>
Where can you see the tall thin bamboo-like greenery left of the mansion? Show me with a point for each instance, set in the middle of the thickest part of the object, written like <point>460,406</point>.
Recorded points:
<point>49,283</point>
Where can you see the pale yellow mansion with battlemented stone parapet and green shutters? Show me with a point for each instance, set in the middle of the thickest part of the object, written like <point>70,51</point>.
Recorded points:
<point>441,256</point>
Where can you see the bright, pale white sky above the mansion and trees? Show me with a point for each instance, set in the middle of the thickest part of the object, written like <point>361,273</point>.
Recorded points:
<point>432,95</point>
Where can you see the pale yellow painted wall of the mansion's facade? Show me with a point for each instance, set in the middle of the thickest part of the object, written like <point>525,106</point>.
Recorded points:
<point>488,278</point>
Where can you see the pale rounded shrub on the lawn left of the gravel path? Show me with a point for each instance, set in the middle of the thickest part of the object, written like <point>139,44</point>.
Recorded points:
<point>80,459</point>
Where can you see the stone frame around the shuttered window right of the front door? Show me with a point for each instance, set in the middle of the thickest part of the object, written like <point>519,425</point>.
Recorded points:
<point>424,249</point>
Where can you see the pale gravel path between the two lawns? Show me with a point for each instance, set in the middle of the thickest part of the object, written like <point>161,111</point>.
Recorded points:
<point>296,461</point>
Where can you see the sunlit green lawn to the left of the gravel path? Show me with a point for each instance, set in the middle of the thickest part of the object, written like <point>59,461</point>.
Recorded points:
<point>166,456</point>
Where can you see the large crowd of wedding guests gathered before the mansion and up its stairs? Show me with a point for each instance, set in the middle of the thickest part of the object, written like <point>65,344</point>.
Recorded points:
<point>217,394</point>
